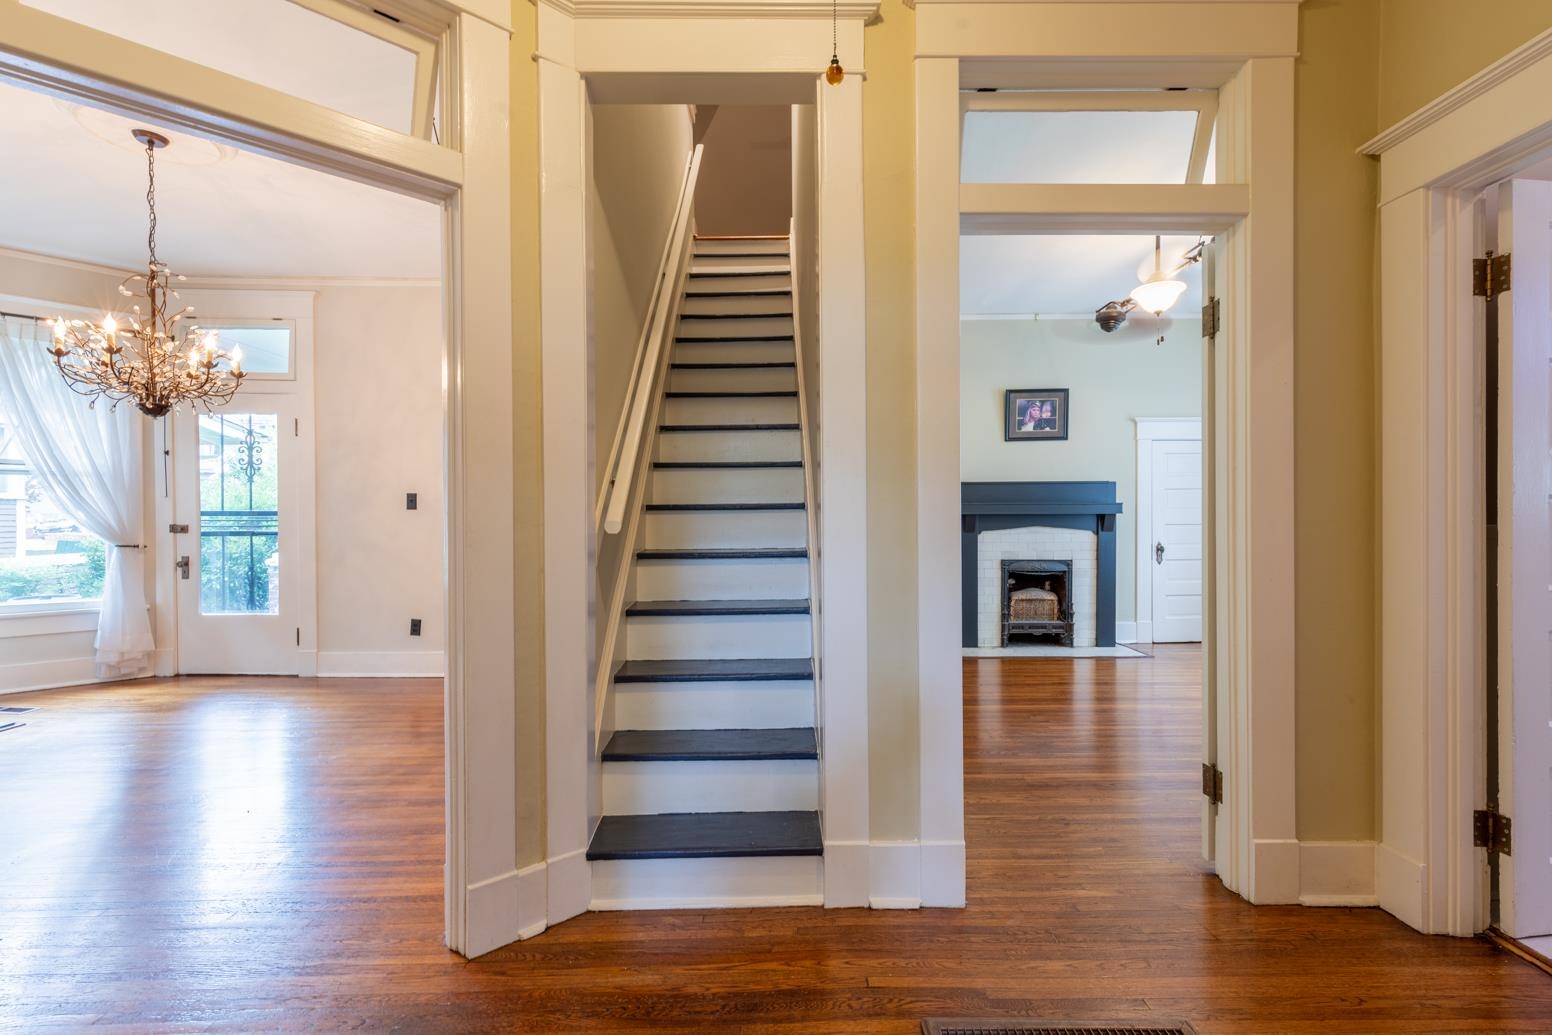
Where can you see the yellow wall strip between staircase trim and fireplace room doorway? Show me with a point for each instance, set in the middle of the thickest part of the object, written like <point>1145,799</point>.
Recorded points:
<point>890,229</point>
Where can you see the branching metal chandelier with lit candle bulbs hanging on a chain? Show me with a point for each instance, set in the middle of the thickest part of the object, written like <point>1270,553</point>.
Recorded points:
<point>158,362</point>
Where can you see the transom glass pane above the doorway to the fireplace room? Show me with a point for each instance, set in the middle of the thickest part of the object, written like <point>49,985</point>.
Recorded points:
<point>1078,147</point>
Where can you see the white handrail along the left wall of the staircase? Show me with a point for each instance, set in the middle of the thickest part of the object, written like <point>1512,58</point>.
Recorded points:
<point>654,362</point>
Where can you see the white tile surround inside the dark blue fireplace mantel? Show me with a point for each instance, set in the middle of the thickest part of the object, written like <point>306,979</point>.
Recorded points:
<point>1036,544</point>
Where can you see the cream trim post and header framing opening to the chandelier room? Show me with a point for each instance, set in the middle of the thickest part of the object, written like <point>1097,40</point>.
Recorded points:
<point>471,178</point>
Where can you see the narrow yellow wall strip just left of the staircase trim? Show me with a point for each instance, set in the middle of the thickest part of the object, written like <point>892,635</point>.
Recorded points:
<point>528,640</point>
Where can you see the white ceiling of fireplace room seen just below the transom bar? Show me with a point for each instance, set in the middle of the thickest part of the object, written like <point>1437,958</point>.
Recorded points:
<point>1062,274</point>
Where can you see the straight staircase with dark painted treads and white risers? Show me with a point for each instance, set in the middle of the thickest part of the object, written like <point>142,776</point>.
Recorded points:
<point>710,784</point>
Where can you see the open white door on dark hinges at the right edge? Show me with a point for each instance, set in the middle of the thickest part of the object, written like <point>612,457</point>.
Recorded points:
<point>1525,558</point>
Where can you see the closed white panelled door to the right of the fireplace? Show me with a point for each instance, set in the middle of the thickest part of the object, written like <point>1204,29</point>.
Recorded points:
<point>1177,542</point>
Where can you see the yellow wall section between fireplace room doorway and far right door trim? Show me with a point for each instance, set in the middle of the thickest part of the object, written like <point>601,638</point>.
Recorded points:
<point>1335,429</point>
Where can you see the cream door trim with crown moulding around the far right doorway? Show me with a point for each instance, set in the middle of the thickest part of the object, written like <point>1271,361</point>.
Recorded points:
<point>1433,639</point>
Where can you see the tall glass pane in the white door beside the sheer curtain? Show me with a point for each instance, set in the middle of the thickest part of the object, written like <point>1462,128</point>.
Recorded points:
<point>240,514</point>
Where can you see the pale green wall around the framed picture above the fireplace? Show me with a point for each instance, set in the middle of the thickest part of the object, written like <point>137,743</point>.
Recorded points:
<point>1112,378</point>
